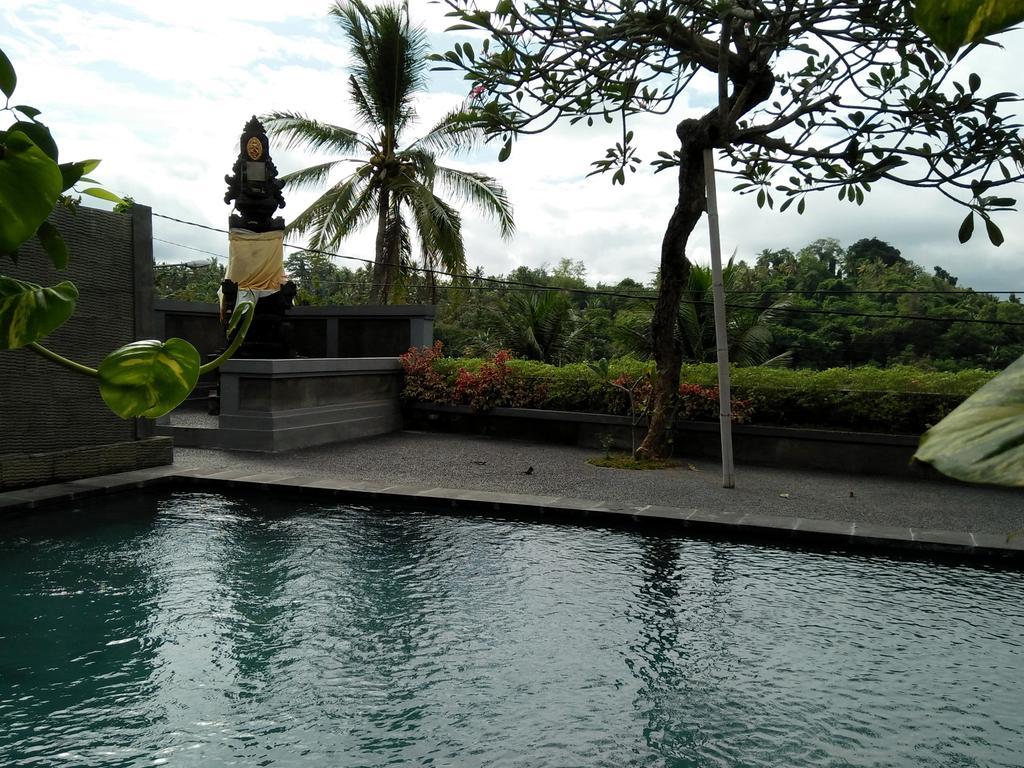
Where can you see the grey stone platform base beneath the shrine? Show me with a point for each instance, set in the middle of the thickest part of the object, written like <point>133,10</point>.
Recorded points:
<point>272,406</point>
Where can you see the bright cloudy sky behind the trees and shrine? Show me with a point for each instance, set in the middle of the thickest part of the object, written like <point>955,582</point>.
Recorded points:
<point>160,92</point>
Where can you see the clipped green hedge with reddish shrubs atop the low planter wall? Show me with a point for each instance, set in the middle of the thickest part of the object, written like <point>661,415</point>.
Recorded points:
<point>900,400</point>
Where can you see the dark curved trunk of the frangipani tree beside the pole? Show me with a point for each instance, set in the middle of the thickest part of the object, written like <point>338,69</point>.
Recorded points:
<point>694,138</point>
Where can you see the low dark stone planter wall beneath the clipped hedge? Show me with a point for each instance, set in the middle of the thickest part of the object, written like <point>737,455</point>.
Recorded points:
<point>858,453</point>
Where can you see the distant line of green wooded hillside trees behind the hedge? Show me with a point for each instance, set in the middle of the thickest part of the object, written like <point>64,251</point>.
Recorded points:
<point>812,309</point>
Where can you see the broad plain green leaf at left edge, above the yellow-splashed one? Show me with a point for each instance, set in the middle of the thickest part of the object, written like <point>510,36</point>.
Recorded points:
<point>30,186</point>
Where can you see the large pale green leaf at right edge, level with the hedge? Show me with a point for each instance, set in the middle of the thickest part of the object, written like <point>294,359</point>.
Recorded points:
<point>984,440</point>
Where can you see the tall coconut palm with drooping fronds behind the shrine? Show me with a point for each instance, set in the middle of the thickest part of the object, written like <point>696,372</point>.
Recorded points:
<point>394,183</point>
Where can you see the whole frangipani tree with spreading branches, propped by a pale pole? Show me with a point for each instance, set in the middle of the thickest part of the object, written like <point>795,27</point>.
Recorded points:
<point>814,96</point>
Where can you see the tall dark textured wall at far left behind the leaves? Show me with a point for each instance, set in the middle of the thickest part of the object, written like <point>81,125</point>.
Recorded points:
<point>50,409</point>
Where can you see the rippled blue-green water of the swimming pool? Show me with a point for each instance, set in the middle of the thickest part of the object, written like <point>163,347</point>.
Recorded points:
<point>197,631</point>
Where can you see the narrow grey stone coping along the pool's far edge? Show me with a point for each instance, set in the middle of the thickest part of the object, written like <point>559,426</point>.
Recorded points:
<point>747,526</point>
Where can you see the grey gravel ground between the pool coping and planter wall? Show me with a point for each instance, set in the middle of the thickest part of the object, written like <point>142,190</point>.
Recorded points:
<point>483,464</point>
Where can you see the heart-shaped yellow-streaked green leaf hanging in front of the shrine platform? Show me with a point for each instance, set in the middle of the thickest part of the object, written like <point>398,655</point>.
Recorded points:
<point>149,378</point>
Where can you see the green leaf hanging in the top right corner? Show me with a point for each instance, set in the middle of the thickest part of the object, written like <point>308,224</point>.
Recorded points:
<point>953,24</point>
